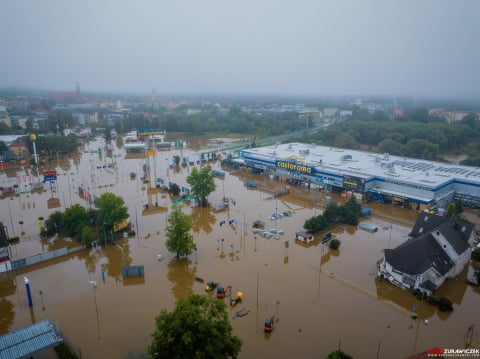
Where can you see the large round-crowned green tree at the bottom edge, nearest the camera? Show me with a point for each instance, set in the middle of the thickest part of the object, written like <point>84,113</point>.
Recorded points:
<point>198,327</point>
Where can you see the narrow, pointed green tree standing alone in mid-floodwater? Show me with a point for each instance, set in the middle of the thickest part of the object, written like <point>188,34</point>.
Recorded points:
<point>179,239</point>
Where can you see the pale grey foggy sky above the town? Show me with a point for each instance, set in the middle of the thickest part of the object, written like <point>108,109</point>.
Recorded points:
<point>318,47</point>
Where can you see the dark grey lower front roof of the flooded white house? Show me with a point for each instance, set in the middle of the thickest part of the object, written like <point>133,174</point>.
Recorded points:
<point>417,255</point>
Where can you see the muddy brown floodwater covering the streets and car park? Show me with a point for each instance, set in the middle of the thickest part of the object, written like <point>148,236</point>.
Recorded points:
<point>321,299</point>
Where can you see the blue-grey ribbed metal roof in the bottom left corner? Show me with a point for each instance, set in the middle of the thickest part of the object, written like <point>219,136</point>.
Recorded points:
<point>24,342</point>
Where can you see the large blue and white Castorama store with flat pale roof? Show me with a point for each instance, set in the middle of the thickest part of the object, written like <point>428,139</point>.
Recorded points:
<point>408,182</point>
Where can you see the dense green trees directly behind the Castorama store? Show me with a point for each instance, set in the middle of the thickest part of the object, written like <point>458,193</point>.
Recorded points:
<point>413,135</point>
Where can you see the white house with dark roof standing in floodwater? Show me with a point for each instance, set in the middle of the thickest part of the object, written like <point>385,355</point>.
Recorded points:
<point>438,248</point>
